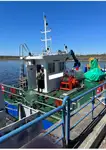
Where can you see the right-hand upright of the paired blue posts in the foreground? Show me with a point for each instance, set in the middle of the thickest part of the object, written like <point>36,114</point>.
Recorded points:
<point>68,122</point>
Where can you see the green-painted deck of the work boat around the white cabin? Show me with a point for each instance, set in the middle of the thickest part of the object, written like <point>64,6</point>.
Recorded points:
<point>47,102</point>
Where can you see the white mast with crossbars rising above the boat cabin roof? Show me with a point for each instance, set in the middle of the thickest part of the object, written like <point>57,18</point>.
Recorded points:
<point>45,40</point>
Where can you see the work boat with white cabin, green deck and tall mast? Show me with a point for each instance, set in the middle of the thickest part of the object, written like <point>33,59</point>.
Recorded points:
<point>24,103</point>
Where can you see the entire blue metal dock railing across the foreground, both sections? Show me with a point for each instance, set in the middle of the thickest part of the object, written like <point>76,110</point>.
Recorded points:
<point>67,115</point>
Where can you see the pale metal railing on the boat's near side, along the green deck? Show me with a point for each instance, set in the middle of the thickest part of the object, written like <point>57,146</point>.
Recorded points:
<point>41,100</point>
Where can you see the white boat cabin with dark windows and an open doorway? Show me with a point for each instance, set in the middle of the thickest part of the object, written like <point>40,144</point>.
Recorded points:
<point>53,70</point>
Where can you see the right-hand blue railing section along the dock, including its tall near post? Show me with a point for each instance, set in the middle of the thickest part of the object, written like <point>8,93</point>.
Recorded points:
<point>91,101</point>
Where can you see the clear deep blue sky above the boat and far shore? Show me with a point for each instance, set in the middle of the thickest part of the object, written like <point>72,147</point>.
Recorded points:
<point>79,25</point>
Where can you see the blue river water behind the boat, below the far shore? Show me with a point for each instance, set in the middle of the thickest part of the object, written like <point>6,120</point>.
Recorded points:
<point>10,70</point>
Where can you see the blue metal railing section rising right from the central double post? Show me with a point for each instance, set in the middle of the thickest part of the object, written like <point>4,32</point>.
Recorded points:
<point>92,101</point>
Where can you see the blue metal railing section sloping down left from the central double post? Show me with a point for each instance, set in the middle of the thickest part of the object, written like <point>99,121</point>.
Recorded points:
<point>42,117</point>
